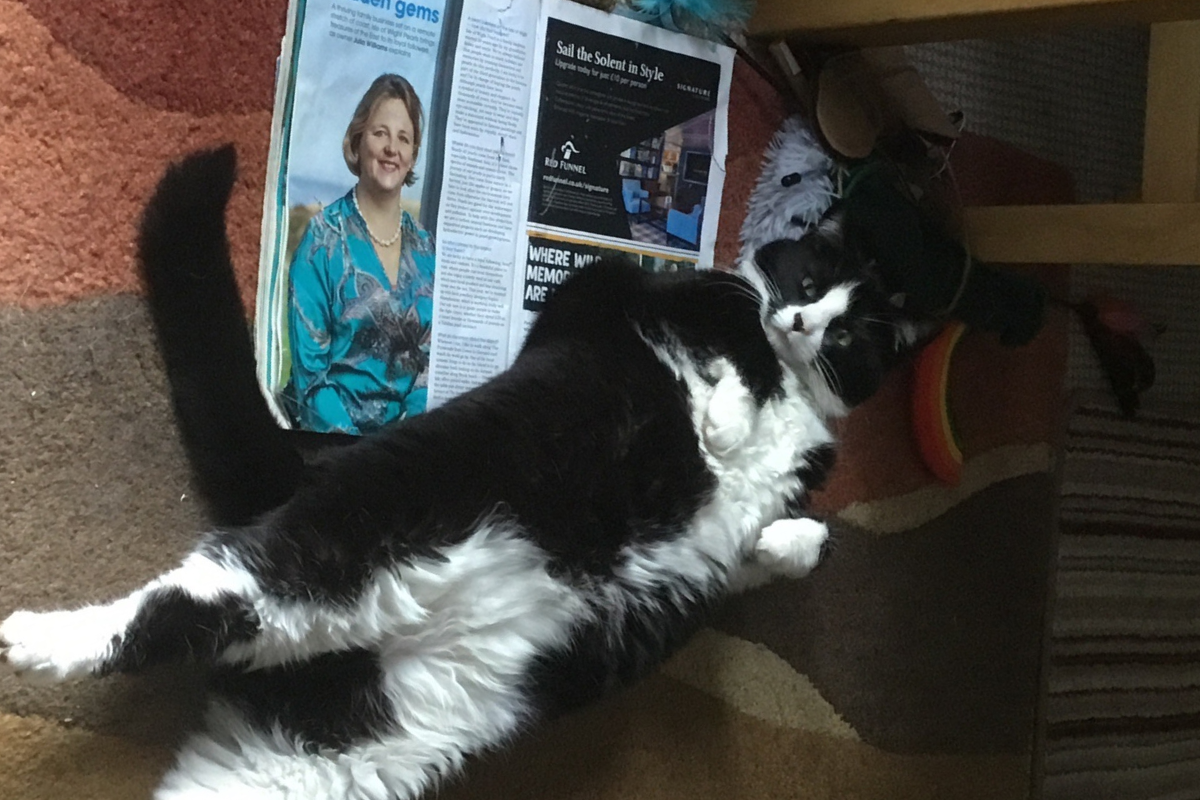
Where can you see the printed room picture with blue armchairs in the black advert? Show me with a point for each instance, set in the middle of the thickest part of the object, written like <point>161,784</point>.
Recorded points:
<point>664,183</point>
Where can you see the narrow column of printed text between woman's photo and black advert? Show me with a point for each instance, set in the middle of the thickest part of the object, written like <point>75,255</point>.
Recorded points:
<point>479,227</point>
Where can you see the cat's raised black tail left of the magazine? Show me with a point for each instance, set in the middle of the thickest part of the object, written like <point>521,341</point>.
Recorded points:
<point>243,462</point>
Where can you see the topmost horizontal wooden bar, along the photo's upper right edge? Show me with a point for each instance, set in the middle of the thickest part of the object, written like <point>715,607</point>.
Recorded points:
<point>904,22</point>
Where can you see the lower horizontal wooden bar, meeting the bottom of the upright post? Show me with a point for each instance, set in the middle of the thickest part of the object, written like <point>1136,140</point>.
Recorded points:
<point>1139,233</point>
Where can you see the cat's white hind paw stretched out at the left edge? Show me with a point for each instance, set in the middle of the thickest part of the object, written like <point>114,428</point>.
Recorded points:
<point>55,647</point>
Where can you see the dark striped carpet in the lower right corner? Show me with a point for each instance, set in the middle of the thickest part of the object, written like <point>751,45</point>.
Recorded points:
<point>1123,719</point>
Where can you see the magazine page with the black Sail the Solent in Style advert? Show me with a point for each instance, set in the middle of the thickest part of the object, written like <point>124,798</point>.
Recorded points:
<point>629,151</point>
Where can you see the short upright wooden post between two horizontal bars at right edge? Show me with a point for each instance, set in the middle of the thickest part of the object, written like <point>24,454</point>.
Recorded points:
<point>1172,157</point>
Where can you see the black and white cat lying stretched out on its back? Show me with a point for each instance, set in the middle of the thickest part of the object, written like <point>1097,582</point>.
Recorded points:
<point>379,612</point>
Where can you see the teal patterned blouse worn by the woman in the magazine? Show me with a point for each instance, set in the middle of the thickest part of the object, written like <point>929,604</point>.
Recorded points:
<point>361,345</point>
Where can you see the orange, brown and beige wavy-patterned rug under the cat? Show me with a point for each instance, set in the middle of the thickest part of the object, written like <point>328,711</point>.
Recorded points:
<point>909,666</point>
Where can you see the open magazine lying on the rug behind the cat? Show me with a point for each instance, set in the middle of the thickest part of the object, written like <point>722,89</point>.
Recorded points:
<point>544,135</point>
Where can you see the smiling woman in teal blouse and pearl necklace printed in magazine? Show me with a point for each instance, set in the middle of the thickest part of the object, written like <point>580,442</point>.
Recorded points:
<point>361,300</point>
